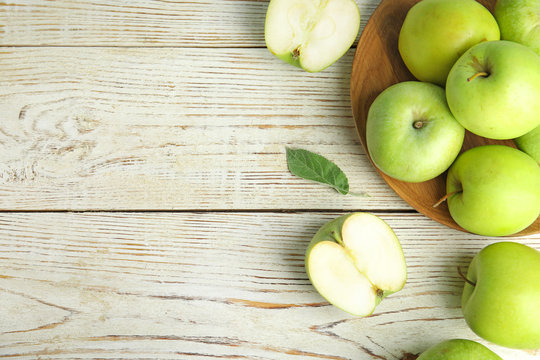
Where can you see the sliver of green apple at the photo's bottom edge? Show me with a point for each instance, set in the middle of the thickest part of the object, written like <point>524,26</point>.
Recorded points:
<point>458,349</point>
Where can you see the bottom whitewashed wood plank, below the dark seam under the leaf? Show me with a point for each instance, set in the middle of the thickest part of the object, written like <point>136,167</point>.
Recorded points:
<point>214,285</point>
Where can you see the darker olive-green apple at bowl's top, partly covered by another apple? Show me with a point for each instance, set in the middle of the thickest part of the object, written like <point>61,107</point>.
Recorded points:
<point>436,32</point>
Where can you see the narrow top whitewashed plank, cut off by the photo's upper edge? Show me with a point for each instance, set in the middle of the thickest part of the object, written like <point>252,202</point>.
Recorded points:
<point>205,23</point>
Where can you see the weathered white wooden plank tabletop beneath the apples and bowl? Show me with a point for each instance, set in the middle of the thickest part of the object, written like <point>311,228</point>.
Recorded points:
<point>146,206</point>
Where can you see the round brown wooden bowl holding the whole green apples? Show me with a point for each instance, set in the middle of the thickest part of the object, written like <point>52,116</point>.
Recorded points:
<point>377,64</point>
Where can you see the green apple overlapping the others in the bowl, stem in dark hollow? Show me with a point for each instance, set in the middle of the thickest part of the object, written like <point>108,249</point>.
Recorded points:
<point>493,89</point>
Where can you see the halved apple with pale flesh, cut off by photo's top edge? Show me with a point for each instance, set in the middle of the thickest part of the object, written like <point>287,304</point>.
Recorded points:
<point>311,34</point>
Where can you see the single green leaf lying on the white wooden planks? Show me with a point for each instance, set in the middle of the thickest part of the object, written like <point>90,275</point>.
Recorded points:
<point>311,166</point>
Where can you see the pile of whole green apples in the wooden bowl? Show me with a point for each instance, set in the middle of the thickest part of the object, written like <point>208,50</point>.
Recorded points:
<point>477,72</point>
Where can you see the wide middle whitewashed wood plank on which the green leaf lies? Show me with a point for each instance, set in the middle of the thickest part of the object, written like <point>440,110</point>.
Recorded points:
<point>129,128</point>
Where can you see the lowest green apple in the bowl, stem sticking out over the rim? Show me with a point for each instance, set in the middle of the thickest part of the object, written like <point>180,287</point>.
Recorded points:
<point>494,190</point>
